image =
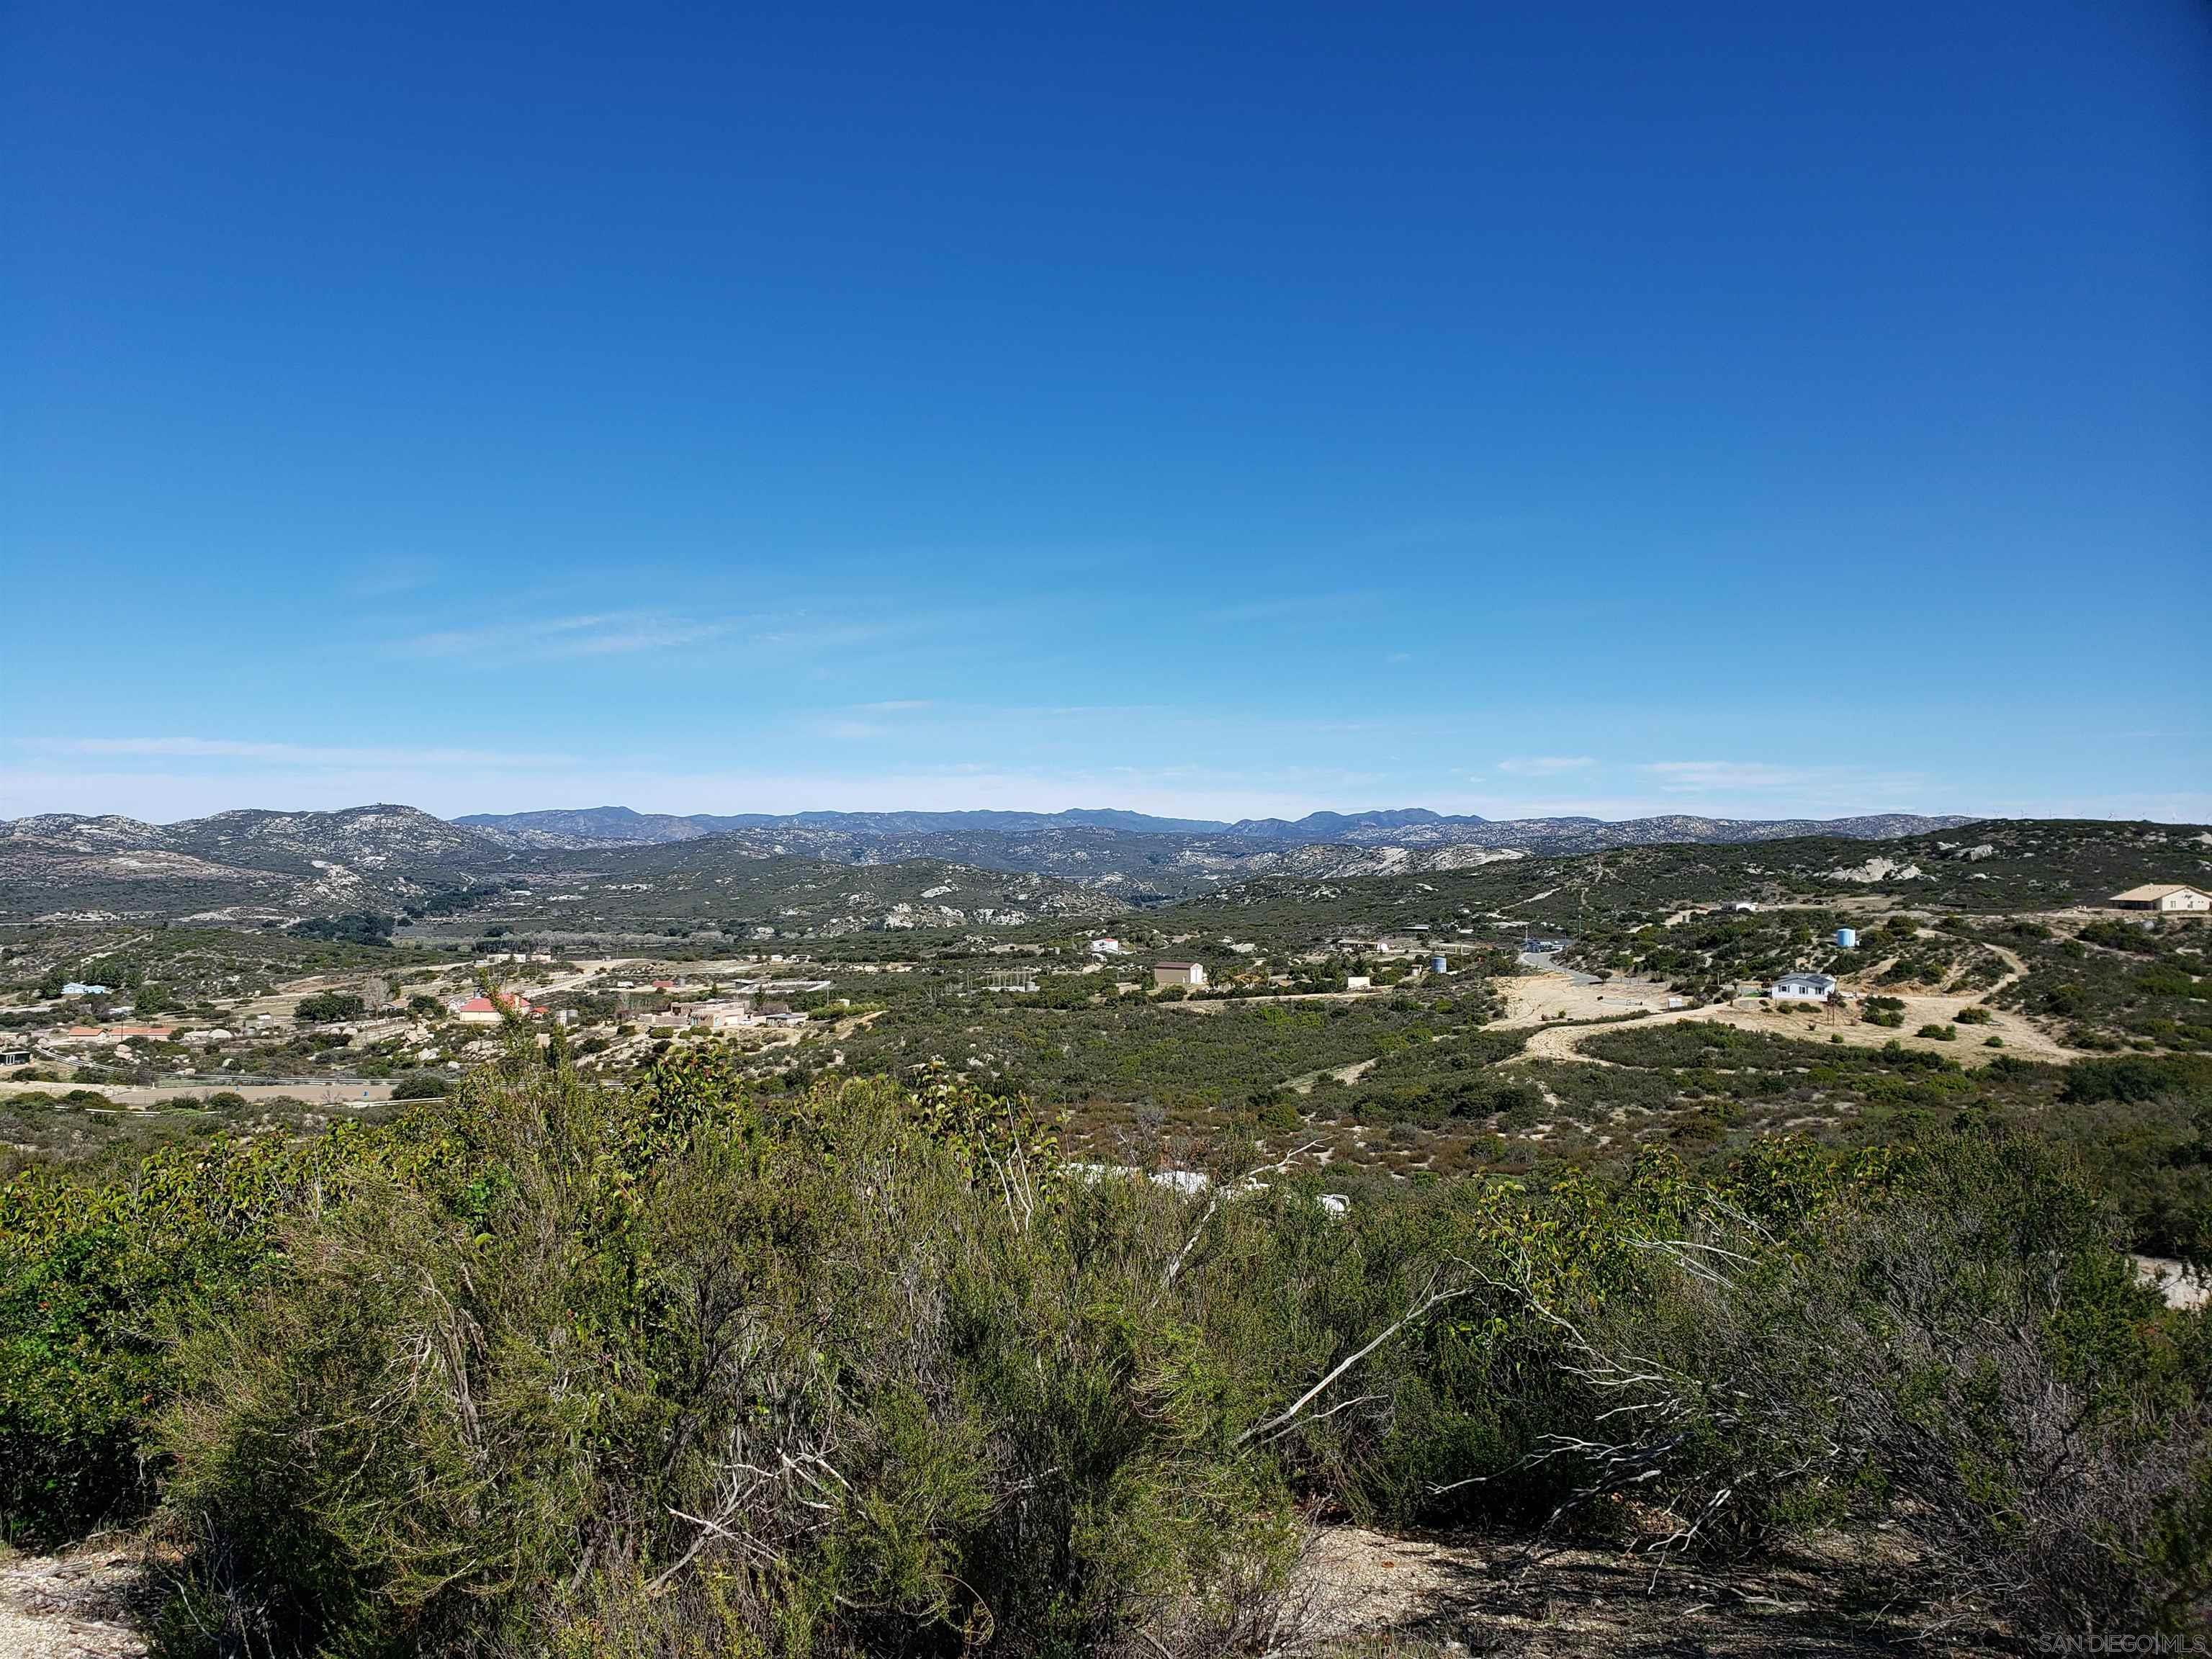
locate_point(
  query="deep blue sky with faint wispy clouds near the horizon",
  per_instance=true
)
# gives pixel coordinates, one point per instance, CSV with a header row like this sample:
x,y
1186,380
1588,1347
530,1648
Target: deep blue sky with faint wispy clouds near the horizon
x,y
1589,408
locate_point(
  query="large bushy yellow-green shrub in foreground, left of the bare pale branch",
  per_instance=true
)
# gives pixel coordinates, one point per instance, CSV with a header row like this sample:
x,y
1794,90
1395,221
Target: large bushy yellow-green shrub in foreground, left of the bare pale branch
x,y
689,1375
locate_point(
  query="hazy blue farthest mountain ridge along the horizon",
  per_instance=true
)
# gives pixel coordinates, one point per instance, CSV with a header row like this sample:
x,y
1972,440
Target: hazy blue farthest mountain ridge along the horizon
x,y
1410,826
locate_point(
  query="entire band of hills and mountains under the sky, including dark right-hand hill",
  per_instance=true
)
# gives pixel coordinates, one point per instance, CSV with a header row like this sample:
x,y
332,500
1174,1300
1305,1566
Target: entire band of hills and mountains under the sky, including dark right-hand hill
x,y
618,875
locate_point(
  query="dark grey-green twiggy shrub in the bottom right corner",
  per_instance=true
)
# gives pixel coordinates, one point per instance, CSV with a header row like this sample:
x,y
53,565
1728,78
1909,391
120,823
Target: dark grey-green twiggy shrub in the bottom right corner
x,y
1959,1348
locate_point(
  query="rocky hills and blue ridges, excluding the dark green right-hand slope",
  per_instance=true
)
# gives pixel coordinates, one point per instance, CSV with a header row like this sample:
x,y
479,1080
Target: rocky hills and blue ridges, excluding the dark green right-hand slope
x,y
280,866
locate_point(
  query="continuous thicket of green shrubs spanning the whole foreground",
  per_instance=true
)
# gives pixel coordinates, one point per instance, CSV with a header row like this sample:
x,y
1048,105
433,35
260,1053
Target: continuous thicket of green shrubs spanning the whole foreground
x,y
853,1368
